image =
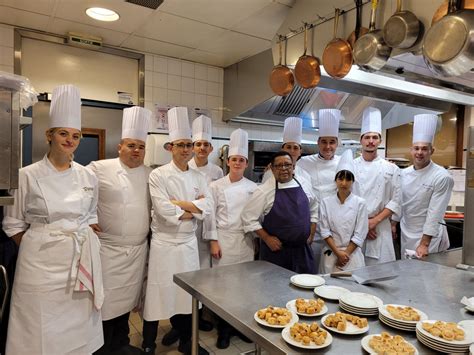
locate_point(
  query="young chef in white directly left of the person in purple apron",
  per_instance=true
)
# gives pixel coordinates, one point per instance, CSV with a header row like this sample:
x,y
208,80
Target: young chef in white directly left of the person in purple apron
x,y
230,194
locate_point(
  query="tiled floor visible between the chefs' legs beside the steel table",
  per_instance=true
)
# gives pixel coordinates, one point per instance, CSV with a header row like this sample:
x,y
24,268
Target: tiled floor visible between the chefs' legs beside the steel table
x,y
206,339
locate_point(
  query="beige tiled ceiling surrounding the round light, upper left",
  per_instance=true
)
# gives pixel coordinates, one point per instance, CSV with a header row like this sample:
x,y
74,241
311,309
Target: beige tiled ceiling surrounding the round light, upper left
x,y
214,32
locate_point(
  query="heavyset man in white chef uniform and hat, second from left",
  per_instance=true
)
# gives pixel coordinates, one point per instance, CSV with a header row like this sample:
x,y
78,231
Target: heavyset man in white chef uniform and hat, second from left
x,y
124,222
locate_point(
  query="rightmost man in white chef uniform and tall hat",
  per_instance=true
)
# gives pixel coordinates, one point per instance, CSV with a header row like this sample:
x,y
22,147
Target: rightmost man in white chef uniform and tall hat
x,y
426,190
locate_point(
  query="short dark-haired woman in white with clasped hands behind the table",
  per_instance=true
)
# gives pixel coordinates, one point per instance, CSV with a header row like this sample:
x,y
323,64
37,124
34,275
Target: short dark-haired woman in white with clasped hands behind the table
x,y
343,222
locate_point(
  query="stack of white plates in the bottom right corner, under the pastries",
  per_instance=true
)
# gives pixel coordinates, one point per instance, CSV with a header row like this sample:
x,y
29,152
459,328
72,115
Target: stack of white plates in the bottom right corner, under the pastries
x,y
442,345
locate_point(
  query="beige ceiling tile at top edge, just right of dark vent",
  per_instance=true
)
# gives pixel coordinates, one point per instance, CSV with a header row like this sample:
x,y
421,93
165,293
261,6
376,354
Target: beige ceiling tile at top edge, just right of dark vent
x,y
222,13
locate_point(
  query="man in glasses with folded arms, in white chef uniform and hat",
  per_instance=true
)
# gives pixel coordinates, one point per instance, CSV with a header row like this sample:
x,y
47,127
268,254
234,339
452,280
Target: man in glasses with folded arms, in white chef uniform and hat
x,y
179,196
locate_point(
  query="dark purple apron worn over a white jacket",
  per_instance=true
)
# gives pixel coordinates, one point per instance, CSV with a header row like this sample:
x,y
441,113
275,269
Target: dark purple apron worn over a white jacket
x,y
289,220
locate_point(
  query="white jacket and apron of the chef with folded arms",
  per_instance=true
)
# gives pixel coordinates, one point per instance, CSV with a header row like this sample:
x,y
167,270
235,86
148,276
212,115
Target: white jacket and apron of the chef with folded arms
x,y
173,247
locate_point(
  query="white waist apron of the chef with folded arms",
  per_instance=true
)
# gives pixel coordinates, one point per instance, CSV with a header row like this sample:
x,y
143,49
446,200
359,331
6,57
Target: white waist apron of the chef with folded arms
x,y
163,297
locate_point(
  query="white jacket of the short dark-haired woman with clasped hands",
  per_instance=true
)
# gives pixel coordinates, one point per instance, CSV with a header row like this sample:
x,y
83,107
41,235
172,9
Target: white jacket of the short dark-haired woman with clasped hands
x,y
344,223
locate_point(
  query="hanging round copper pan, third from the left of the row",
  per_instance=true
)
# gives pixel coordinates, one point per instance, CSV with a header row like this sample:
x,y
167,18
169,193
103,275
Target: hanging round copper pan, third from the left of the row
x,y
337,56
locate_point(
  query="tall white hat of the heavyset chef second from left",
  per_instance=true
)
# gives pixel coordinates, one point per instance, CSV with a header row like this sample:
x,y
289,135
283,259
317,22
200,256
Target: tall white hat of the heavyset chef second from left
x,y
135,123
